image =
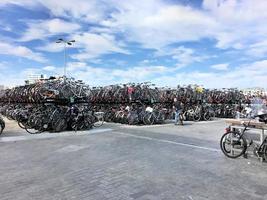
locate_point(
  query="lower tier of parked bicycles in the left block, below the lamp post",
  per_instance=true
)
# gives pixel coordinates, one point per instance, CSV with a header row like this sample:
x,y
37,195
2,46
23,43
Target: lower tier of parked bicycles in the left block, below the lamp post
x,y
52,117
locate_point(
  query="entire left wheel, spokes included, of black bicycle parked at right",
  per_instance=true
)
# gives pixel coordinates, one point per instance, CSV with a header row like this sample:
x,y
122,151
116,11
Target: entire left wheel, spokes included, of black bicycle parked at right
x,y
233,144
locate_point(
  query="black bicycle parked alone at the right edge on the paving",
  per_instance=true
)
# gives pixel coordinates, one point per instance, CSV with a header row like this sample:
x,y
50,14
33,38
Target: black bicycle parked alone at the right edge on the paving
x,y
234,143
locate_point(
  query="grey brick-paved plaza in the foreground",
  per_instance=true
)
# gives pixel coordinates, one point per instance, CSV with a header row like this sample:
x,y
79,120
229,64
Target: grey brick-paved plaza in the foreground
x,y
127,162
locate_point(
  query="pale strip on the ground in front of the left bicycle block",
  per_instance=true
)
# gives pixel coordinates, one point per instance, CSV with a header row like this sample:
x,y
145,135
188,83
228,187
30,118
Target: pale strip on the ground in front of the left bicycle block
x,y
52,135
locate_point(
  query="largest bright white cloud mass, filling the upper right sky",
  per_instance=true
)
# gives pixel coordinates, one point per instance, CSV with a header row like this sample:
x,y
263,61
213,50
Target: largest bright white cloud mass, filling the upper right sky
x,y
156,24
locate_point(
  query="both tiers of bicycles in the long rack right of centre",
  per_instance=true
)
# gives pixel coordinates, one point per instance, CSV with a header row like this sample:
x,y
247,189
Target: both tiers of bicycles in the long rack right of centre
x,y
127,103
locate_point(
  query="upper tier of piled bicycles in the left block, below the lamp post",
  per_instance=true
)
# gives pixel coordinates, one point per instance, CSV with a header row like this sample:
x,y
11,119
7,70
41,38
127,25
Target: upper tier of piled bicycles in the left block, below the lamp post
x,y
56,89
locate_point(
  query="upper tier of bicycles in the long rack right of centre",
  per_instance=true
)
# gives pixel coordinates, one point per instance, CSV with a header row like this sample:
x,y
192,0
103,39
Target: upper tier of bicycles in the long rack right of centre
x,y
149,94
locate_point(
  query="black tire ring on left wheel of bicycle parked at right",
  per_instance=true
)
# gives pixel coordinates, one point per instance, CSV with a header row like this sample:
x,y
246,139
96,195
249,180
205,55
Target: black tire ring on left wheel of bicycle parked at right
x,y
240,140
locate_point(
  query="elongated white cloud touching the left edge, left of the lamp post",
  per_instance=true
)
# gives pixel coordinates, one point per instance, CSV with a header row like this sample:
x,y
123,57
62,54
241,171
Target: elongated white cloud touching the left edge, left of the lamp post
x,y
20,51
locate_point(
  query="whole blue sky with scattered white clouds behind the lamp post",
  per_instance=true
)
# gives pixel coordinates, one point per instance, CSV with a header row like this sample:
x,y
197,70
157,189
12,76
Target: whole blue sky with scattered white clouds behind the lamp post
x,y
214,43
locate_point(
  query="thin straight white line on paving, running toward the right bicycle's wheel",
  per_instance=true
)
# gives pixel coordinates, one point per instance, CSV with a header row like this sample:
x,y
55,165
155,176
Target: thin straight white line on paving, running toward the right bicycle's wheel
x,y
169,142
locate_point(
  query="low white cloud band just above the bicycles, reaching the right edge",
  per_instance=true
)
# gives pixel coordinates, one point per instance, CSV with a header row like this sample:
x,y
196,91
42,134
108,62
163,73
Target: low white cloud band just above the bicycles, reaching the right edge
x,y
249,75
